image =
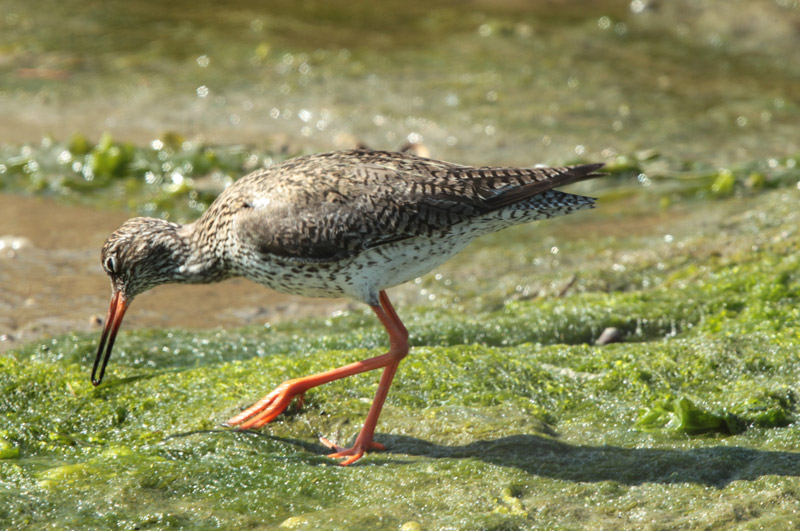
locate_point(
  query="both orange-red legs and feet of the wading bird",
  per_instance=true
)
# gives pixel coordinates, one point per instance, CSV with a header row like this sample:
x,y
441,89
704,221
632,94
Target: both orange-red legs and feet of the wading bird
x,y
272,405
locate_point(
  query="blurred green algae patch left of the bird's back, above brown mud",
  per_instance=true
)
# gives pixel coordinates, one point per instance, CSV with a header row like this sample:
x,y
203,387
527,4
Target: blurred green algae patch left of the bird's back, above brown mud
x,y
170,178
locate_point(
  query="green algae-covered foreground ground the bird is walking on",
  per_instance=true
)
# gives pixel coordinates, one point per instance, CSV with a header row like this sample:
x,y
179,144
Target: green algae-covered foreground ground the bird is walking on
x,y
505,415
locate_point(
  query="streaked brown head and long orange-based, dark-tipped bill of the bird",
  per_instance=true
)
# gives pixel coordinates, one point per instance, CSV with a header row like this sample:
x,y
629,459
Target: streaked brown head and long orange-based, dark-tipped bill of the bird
x,y
141,254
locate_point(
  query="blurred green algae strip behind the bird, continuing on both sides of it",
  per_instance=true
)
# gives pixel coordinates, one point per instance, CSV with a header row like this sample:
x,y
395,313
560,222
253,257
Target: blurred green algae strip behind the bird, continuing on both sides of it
x,y
178,179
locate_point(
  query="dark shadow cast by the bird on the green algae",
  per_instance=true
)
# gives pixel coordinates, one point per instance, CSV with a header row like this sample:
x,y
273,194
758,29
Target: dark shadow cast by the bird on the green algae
x,y
547,457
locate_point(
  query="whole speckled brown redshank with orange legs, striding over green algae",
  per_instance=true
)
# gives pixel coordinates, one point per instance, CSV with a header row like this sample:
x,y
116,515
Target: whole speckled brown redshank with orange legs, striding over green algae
x,y
340,224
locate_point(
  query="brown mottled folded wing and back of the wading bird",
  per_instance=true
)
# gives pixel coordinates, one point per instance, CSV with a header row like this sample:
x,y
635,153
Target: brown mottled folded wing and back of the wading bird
x,y
364,199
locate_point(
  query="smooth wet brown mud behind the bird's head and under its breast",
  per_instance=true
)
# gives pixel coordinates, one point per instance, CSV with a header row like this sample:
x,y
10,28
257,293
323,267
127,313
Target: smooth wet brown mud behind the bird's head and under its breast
x,y
53,282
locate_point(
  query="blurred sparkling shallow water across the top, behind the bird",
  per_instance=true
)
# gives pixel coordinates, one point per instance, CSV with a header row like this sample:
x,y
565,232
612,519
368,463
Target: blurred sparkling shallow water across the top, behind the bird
x,y
510,82
